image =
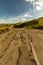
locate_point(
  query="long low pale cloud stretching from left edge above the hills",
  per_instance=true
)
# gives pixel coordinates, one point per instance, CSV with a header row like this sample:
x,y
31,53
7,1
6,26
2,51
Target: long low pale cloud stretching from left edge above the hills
x,y
20,18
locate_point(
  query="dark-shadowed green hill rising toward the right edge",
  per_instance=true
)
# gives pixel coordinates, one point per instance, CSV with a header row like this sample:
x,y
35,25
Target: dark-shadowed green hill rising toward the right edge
x,y
34,24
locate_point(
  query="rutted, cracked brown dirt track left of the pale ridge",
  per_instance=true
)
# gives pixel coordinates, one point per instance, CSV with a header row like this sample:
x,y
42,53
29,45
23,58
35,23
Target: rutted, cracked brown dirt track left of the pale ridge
x,y
15,48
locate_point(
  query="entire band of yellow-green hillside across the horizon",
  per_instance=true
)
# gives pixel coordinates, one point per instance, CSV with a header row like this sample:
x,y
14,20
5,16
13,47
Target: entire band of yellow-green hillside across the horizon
x,y
33,24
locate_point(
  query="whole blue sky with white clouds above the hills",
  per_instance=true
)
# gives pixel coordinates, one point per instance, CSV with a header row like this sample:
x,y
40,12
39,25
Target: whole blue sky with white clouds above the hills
x,y
12,11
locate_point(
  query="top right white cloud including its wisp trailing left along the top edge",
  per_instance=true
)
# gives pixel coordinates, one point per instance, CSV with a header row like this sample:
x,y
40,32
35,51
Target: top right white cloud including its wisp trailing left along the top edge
x,y
38,4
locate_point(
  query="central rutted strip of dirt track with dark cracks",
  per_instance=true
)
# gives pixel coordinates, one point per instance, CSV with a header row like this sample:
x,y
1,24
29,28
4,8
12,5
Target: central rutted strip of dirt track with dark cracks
x,y
25,55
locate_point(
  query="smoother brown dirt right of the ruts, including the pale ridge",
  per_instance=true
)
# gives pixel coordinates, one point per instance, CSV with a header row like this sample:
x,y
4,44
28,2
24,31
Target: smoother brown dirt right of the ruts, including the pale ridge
x,y
37,45
